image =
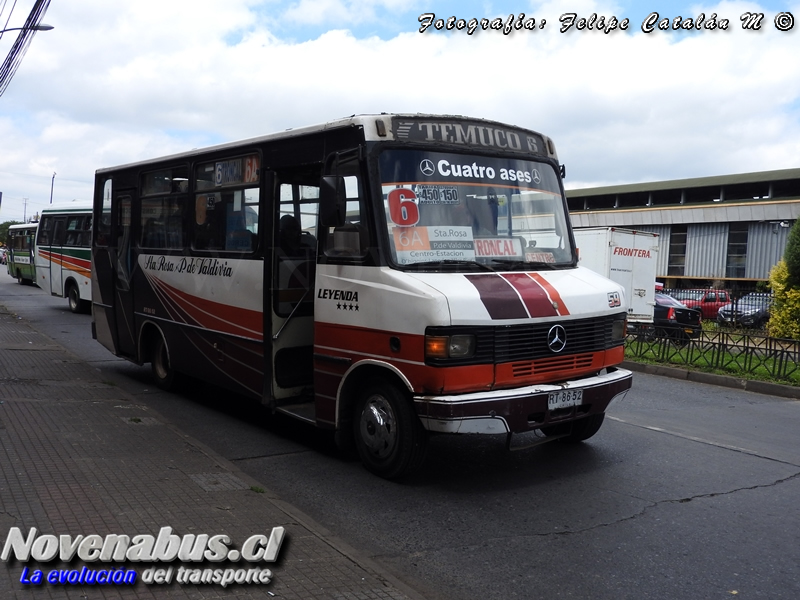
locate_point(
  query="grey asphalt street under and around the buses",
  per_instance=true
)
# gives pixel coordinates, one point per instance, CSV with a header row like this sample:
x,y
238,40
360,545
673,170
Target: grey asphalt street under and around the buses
x,y
688,490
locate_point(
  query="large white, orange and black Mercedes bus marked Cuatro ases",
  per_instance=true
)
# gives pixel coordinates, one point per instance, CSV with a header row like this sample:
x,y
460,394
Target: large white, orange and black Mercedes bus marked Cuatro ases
x,y
384,276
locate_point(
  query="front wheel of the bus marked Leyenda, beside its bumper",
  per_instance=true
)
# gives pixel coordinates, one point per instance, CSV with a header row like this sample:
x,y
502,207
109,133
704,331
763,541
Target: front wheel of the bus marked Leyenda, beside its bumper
x,y
389,437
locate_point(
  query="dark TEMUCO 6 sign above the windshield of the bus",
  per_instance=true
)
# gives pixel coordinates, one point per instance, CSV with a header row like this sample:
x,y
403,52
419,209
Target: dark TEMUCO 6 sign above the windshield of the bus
x,y
468,133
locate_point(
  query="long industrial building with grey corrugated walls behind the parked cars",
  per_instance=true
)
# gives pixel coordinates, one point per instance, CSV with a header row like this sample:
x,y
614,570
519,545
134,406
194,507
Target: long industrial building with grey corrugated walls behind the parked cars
x,y
725,231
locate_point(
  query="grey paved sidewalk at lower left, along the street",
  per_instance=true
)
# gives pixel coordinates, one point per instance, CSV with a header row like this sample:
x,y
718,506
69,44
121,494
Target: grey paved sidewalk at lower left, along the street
x,y
79,457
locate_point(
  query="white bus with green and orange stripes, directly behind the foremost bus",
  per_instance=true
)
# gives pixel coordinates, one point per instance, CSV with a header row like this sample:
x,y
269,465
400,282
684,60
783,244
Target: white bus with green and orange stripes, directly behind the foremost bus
x,y
63,253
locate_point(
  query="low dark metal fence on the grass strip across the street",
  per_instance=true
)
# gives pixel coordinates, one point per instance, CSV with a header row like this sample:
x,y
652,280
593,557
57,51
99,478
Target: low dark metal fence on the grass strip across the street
x,y
733,353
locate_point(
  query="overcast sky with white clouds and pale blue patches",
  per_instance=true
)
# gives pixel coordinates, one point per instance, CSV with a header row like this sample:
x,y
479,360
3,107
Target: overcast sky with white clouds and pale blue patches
x,y
116,82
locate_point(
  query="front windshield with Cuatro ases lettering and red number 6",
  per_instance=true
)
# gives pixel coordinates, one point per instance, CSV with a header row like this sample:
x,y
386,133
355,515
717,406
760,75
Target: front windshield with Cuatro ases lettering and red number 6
x,y
443,208
